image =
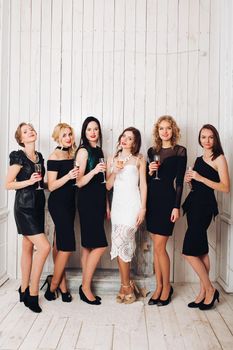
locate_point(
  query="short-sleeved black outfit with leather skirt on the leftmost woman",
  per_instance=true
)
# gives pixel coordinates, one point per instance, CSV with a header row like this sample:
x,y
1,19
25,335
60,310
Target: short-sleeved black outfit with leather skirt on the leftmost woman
x,y
29,203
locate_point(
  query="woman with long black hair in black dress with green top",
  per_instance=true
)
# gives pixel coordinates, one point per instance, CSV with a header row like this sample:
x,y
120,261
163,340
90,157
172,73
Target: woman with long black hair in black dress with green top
x,y
91,204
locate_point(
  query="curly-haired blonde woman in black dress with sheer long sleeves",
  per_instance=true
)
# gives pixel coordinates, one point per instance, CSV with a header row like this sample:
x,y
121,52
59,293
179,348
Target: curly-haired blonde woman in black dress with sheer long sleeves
x,y
167,163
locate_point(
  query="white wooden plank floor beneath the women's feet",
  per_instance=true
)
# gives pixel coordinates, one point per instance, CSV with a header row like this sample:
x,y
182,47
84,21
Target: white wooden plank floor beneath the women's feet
x,y
115,326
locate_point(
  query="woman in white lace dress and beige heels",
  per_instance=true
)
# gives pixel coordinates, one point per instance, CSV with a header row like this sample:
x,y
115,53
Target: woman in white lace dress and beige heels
x,y
126,172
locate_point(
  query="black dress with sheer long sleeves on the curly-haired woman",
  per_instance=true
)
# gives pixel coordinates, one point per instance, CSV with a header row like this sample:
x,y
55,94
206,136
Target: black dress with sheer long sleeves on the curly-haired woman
x,y
162,196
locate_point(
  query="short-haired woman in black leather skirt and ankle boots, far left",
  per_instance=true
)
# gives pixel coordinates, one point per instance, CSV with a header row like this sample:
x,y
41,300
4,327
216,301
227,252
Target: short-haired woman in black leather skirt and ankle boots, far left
x,y
29,212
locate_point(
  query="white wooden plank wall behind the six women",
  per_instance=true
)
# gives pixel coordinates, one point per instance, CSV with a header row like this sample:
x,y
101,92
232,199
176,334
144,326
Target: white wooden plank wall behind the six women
x,y
126,62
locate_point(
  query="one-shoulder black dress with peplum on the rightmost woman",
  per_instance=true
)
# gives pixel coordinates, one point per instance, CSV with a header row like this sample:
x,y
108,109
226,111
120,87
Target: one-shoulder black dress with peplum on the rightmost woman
x,y
200,207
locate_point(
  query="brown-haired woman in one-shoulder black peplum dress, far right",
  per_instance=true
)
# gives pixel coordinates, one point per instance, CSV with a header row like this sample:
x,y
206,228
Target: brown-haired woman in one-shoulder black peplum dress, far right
x,y
210,173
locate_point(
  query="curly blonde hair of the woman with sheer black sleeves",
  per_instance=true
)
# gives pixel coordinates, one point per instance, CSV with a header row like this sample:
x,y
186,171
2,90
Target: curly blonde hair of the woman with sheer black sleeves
x,y
157,142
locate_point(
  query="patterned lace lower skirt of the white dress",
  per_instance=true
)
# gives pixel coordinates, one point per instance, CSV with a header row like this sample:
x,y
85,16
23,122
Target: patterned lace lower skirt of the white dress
x,y
123,242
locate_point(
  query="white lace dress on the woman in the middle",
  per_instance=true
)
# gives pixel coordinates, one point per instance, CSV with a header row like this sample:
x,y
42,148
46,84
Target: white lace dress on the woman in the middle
x,y
126,204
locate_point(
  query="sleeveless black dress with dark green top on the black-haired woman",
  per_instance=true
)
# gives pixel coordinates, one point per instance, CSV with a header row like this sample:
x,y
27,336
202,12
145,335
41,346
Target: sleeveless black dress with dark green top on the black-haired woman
x,y
92,204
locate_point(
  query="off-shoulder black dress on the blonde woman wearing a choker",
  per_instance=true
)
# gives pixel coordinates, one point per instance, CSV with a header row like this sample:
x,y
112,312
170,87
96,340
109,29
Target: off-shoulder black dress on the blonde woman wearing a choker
x,y
61,204
